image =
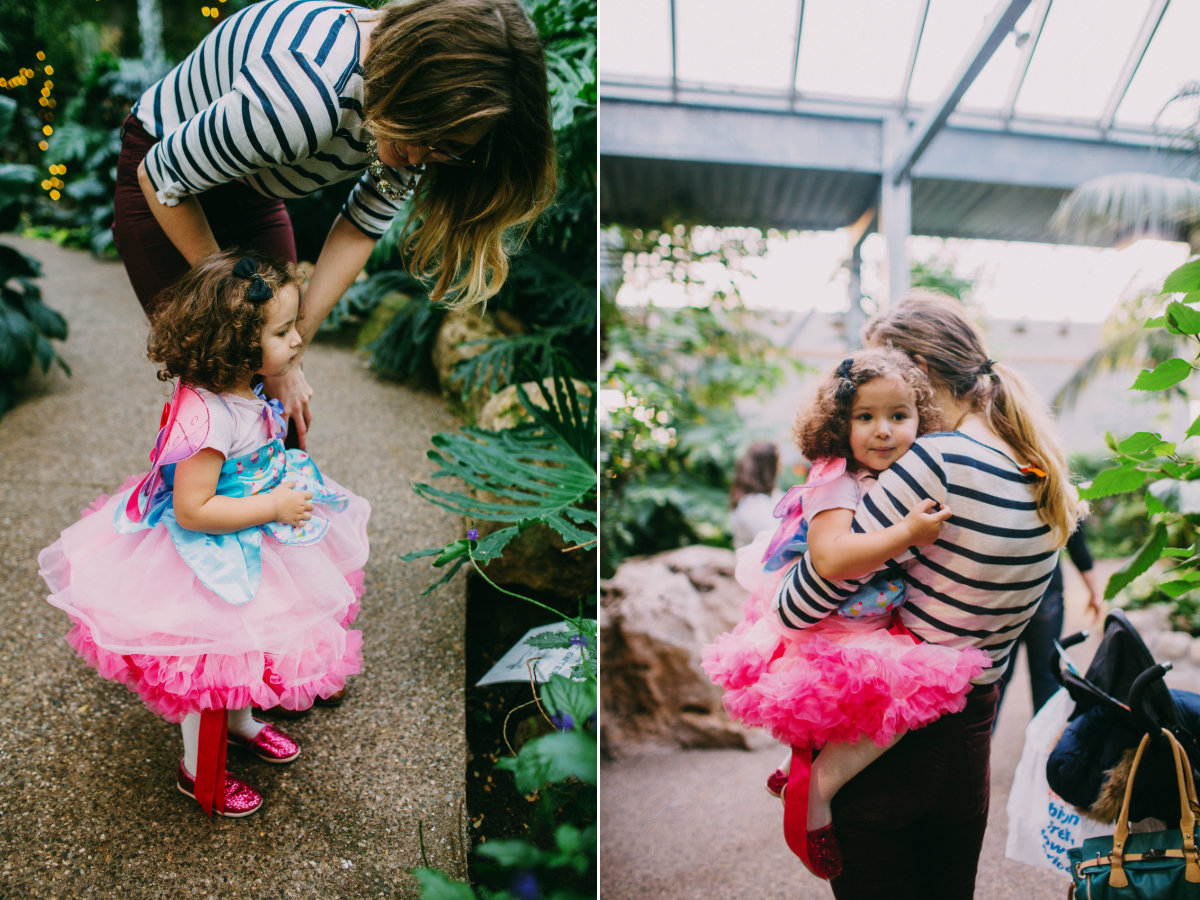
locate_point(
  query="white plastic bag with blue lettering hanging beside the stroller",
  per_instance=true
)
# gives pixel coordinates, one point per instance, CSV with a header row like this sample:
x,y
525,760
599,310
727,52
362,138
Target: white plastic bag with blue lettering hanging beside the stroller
x,y
1042,826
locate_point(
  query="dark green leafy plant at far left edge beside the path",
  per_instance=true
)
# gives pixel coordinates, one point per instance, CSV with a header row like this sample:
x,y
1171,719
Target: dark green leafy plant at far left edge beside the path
x,y
27,325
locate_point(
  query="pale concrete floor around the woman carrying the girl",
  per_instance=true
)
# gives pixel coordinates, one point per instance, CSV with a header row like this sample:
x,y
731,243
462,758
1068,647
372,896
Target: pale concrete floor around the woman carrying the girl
x,y
698,825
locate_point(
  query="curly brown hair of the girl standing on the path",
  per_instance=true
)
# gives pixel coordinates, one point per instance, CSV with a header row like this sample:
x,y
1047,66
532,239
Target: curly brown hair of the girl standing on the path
x,y
206,331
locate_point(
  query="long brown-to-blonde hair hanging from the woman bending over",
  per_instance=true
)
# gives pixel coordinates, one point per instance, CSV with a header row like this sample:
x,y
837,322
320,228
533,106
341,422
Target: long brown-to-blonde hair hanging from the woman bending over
x,y
440,68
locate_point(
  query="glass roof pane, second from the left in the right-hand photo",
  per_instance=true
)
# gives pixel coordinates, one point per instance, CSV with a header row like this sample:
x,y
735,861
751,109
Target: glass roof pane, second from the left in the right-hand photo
x,y
751,47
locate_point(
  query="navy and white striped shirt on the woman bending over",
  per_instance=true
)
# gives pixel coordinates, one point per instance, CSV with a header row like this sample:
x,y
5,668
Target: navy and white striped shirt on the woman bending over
x,y
272,98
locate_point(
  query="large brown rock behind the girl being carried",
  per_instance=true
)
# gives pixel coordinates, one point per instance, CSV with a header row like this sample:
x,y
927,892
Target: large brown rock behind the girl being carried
x,y
656,615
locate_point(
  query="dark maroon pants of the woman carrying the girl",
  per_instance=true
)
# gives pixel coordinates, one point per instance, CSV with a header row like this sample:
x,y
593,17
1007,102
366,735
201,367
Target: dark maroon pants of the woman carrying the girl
x,y
911,825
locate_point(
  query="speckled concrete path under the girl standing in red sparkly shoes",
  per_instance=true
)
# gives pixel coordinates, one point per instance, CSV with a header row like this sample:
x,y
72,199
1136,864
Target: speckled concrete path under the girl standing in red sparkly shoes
x,y
88,801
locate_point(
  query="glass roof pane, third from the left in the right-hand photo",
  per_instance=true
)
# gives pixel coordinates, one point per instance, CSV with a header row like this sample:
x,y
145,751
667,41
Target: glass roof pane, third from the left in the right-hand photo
x,y
856,49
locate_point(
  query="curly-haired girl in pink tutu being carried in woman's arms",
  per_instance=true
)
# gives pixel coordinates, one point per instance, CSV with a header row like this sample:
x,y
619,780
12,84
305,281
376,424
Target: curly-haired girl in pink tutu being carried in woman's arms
x,y
856,682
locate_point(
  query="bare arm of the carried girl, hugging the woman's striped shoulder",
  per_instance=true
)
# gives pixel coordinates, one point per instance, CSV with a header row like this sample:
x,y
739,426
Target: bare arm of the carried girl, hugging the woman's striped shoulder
x,y
839,554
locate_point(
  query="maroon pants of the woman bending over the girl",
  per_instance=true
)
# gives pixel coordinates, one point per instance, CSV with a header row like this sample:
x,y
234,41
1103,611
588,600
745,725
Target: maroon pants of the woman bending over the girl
x,y
238,215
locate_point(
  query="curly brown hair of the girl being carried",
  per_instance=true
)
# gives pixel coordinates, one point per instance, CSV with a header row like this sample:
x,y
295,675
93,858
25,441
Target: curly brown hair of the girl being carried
x,y
823,429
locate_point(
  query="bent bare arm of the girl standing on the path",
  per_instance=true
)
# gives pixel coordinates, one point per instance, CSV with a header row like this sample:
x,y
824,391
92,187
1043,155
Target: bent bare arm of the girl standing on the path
x,y
200,509
